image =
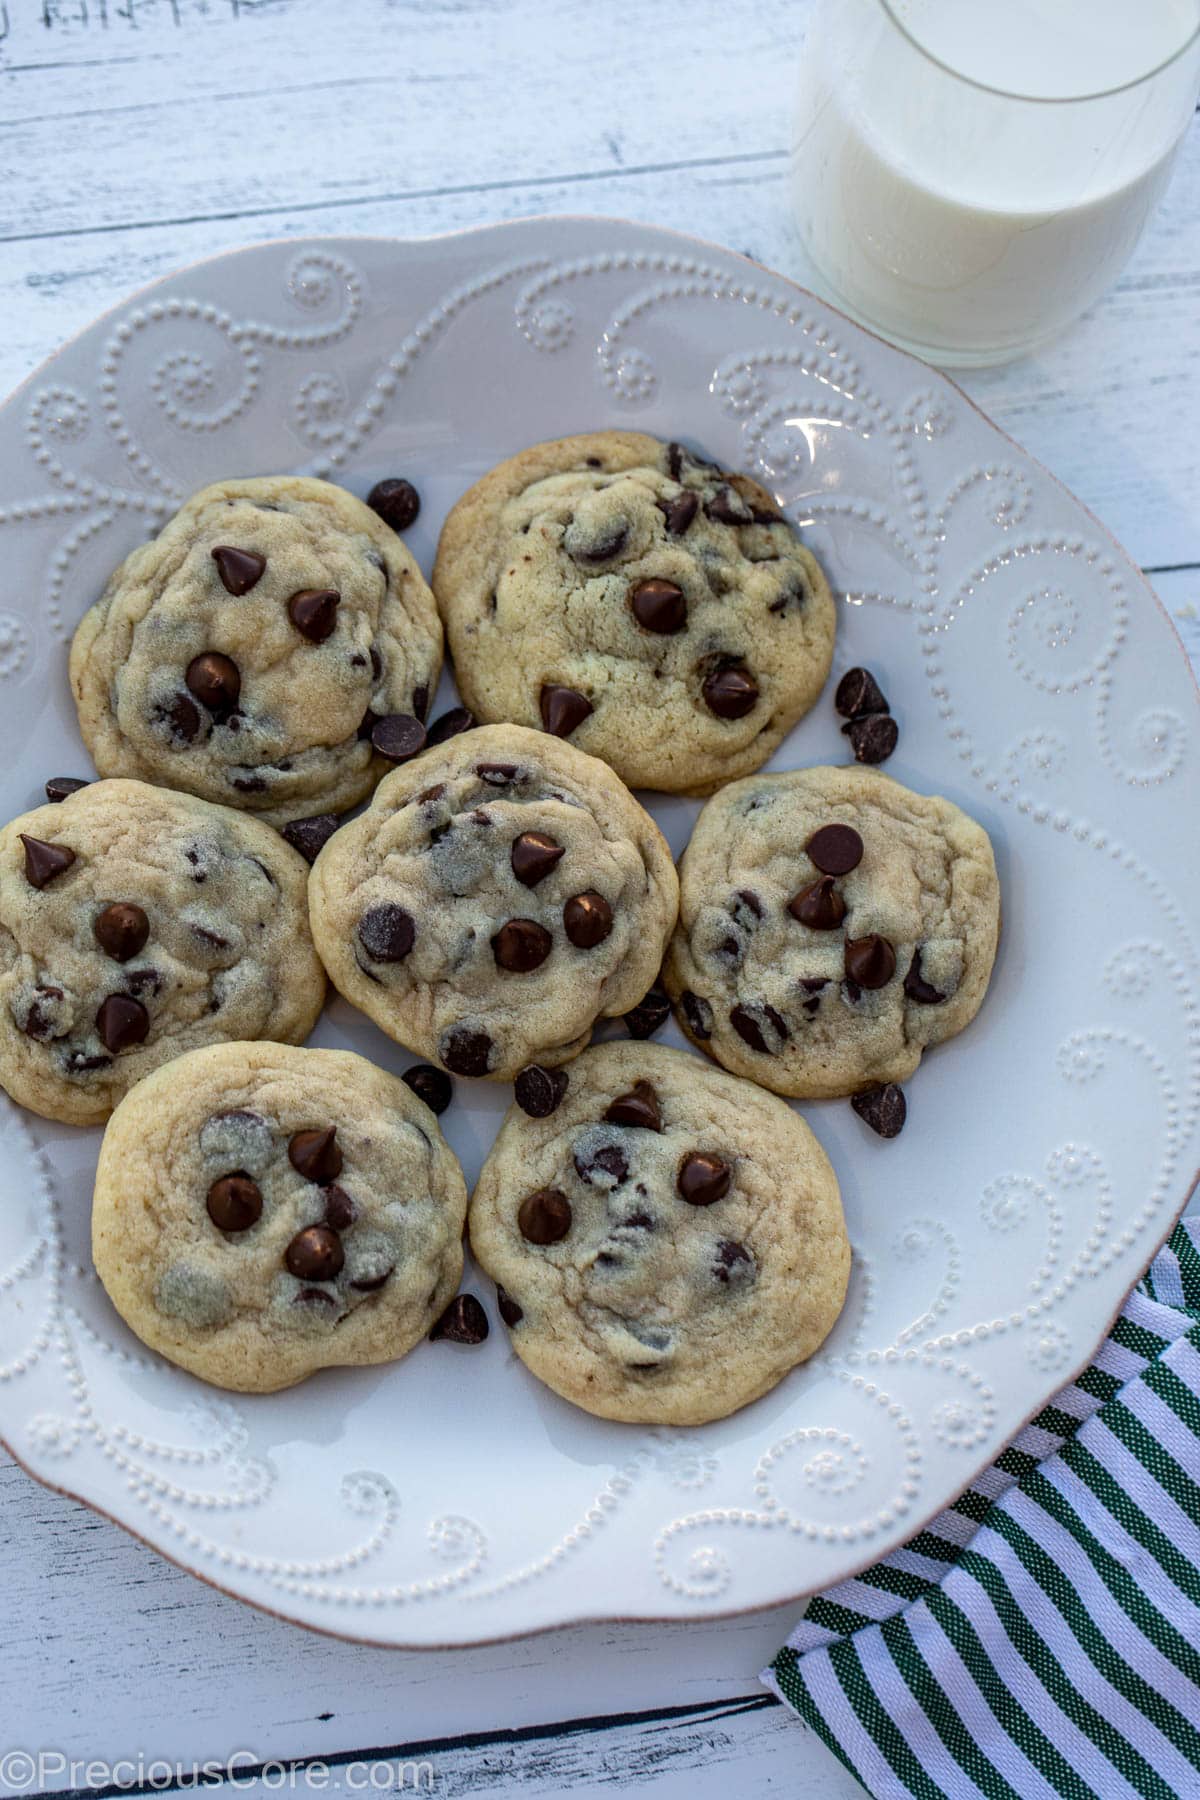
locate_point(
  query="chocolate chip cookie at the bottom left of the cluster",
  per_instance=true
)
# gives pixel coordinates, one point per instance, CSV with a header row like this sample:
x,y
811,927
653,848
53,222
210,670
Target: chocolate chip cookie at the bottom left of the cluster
x,y
265,1212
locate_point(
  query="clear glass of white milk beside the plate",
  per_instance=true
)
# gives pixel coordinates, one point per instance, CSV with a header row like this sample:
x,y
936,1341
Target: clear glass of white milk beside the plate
x,y
971,175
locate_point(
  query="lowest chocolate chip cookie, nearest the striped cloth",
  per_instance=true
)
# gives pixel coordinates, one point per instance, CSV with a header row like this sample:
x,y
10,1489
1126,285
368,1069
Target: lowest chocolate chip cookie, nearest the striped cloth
x,y
668,1243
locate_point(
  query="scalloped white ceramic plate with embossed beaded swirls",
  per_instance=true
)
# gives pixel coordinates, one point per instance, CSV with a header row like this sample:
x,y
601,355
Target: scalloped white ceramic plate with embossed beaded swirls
x,y
1037,683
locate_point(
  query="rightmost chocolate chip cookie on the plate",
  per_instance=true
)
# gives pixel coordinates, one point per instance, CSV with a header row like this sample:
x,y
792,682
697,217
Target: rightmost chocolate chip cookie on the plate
x,y
832,928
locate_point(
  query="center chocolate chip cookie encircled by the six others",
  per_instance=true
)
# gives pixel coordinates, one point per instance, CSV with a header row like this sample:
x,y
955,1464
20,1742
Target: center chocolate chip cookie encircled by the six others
x,y
497,897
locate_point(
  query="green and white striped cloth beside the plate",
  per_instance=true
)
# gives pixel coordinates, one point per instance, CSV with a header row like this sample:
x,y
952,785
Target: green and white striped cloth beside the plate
x,y
1043,1637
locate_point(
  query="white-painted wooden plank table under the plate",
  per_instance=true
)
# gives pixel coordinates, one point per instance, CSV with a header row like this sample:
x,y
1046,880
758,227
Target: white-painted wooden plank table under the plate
x,y
138,136
